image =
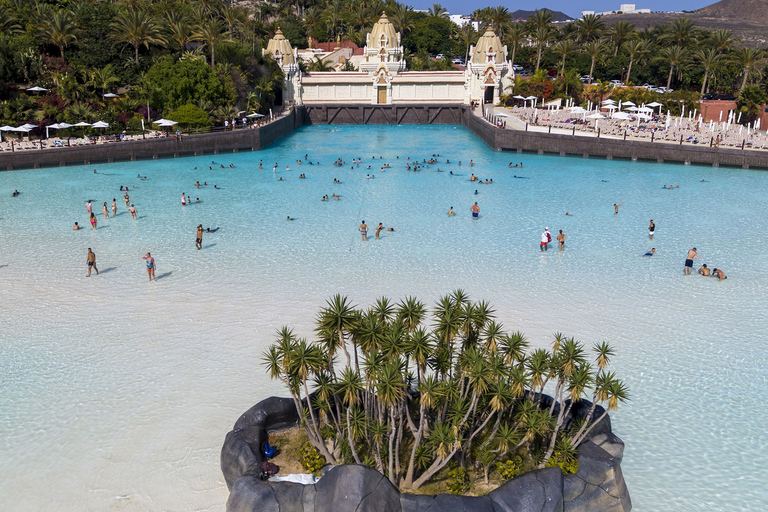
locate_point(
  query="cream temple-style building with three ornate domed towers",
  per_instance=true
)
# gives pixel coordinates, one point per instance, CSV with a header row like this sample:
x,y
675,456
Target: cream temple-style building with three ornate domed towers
x,y
383,79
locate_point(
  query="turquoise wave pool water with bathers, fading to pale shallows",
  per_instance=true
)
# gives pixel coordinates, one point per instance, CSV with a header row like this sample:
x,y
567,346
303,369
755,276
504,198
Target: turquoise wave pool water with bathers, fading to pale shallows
x,y
117,393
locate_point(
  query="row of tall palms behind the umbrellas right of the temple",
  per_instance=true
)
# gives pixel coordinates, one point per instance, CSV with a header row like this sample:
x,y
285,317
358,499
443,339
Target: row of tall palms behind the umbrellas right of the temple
x,y
679,50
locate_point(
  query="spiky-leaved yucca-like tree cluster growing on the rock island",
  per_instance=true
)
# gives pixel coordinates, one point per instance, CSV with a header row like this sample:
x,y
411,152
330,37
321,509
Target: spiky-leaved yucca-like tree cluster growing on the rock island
x,y
407,392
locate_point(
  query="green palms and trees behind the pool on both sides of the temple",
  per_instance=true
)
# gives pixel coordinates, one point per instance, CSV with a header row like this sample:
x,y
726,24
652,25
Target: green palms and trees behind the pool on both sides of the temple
x,y
200,61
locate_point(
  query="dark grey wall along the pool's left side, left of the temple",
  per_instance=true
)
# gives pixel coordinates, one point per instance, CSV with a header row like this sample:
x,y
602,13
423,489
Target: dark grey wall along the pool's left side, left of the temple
x,y
167,147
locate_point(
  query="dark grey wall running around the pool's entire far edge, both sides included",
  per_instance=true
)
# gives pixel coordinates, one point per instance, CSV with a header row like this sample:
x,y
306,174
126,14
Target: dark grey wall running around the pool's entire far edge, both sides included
x,y
513,138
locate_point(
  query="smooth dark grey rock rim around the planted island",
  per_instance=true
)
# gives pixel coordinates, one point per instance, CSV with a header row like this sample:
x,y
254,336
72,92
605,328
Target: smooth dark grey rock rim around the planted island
x,y
597,486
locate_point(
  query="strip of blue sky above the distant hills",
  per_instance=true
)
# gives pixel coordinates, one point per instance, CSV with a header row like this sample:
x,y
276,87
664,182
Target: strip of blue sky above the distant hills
x,y
571,7
